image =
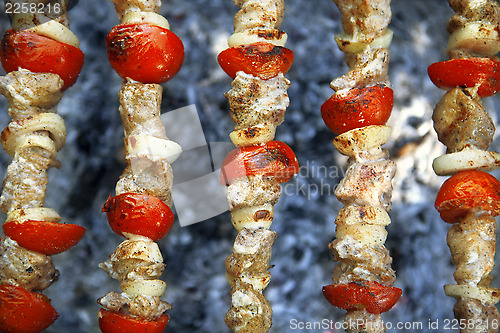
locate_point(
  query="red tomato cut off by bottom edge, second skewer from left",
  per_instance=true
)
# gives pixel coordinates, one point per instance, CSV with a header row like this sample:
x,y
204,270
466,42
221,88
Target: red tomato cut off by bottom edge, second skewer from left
x,y
115,322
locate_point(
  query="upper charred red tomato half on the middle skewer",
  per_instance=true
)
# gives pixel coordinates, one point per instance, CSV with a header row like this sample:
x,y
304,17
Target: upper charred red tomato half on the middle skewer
x,y
261,59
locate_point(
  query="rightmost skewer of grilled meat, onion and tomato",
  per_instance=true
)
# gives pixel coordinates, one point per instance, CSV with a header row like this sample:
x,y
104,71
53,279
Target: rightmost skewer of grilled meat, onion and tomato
x,y
469,199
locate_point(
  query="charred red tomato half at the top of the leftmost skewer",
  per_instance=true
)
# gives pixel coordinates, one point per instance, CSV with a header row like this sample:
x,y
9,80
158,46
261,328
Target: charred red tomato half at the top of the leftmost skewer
x,y
40,54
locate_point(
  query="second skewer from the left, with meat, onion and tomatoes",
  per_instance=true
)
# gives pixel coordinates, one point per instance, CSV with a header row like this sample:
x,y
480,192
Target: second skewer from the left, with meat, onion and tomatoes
x,y
145,53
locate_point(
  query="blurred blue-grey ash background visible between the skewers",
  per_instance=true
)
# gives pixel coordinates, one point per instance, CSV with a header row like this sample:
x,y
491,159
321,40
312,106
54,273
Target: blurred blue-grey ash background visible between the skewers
x,y
92,161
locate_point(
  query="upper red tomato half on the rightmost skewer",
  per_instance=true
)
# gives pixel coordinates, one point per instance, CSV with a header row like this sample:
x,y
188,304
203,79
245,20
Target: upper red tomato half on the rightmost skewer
x,y
467,72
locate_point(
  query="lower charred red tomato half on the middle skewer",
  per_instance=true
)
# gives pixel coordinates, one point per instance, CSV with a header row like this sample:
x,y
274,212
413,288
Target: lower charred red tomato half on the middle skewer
x,y
274,159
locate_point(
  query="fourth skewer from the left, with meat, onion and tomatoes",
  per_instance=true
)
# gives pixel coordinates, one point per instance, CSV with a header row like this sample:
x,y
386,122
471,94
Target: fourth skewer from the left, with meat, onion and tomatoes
x,y
357,113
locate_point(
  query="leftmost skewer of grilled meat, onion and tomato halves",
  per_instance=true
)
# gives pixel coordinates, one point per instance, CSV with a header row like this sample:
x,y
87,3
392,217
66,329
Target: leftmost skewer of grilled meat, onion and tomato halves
x,y
42,59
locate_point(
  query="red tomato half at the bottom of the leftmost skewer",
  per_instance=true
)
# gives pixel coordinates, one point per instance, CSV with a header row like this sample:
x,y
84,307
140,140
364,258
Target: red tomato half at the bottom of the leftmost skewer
x,y
22,311
